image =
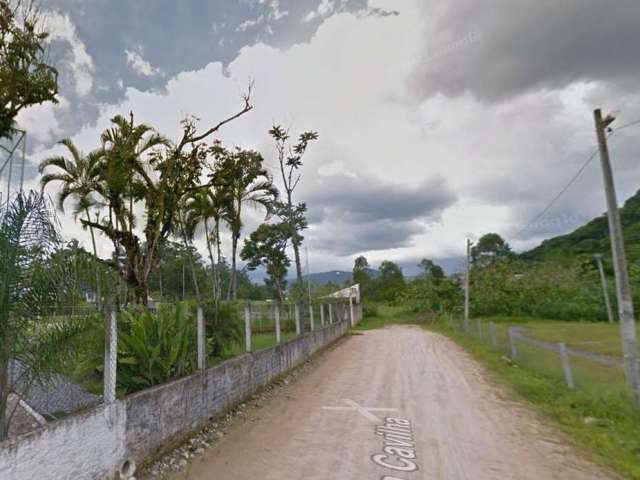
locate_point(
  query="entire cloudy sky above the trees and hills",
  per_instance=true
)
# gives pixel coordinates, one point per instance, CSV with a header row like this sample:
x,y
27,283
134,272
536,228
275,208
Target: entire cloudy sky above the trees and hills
x,y
438,119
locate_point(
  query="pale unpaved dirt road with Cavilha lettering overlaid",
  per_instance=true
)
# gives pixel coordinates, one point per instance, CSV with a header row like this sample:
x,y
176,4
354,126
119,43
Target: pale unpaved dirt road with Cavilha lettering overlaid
x,y
391,404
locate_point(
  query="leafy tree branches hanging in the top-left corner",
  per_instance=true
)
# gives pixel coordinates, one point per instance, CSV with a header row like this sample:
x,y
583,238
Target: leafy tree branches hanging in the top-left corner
x,y
25,77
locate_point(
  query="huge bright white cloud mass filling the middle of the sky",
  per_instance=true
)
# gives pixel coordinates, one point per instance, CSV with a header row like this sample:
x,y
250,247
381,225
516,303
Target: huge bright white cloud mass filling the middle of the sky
x,y
349,82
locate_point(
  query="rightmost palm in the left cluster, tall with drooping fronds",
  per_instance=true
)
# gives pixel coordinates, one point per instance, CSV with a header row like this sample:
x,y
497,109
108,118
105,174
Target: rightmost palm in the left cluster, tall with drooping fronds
x,y
241,173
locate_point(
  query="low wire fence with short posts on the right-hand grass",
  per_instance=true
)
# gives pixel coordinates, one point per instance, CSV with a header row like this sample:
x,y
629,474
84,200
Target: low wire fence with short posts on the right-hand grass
x,y
577,369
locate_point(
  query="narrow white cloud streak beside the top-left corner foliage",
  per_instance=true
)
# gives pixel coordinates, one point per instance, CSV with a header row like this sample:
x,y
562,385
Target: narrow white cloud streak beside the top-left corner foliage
x,y
61,28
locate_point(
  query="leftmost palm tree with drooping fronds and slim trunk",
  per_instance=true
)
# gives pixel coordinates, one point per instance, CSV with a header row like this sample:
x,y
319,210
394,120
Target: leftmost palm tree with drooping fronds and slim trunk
x,y
80,177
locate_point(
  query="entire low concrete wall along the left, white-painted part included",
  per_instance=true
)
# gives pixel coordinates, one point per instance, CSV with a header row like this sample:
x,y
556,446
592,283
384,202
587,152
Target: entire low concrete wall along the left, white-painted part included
x,y
95,444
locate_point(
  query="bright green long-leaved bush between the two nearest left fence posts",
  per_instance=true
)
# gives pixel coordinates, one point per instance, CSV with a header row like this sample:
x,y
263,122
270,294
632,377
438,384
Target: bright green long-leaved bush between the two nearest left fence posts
x,y
156,348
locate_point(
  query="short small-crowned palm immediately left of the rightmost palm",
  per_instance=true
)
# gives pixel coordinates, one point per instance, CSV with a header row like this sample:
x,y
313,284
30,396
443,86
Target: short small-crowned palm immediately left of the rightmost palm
x,y
203,205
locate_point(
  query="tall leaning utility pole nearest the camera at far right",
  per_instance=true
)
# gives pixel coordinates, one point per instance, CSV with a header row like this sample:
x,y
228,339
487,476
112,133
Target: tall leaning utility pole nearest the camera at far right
x,y
623,289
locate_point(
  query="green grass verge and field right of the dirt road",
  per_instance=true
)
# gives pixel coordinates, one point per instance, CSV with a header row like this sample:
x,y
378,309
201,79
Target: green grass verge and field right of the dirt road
x,y
598,415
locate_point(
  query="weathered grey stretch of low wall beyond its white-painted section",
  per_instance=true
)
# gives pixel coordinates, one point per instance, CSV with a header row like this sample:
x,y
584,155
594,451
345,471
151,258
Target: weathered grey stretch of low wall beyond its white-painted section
x,y
158,417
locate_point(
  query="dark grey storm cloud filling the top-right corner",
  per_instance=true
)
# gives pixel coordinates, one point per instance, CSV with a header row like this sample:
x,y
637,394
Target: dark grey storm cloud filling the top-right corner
x,y
502,48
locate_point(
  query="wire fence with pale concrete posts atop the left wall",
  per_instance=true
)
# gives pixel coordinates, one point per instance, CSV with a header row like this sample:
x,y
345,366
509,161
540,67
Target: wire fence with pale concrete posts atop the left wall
x,y
96,356
